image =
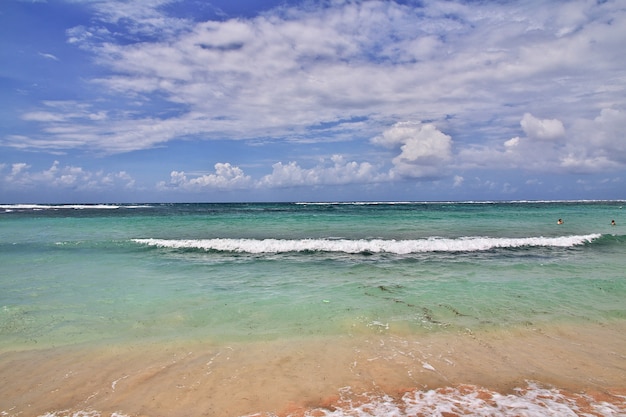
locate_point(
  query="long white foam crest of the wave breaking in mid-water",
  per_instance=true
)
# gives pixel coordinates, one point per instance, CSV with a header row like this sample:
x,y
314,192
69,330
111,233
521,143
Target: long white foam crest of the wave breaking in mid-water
x,y
433,244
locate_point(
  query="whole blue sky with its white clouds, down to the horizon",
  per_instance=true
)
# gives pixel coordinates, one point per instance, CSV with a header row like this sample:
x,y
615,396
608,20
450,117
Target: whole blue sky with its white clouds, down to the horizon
x,y
276,100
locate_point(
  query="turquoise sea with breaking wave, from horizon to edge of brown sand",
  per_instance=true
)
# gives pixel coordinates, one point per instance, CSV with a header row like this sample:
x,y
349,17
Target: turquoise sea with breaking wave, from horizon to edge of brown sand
x,y
222,272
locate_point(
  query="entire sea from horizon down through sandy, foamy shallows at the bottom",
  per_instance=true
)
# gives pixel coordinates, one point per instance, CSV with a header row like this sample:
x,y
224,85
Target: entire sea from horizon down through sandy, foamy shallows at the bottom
x,y
313,309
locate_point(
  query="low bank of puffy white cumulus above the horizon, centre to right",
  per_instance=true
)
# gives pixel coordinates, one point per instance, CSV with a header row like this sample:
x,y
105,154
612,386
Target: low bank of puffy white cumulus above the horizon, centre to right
x,y
422,150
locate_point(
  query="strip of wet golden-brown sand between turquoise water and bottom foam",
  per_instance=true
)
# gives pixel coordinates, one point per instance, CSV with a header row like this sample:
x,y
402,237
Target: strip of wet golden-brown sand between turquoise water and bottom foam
x,y
287,376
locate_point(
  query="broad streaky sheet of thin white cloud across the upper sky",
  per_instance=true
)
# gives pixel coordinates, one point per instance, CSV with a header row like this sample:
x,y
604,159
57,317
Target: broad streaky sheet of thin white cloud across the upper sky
x,y
292,68
